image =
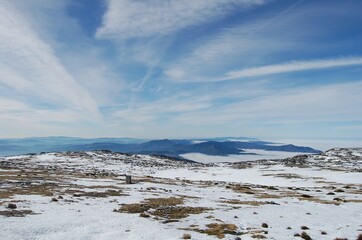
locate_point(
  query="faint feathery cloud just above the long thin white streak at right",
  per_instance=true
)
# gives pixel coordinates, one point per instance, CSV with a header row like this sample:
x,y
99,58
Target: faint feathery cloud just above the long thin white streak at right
x,y
229,48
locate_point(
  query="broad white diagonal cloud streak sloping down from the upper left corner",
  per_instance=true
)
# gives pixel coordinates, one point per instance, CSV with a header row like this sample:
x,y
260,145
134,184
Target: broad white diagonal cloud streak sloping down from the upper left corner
x,y
29,67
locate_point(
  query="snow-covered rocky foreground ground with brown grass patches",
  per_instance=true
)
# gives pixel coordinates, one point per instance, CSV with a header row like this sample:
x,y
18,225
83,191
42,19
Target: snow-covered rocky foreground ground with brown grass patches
x,y
84,195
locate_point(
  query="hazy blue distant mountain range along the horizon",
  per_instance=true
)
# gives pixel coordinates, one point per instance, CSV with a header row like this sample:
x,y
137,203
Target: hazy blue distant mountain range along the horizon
x,y
171,148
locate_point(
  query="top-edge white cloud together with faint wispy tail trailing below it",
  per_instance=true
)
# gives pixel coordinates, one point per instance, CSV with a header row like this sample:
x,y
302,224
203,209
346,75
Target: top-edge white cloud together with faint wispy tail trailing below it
x,y
144,31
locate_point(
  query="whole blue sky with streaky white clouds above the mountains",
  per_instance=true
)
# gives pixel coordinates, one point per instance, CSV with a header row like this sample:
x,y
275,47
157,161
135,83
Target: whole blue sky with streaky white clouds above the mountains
x,y
270,69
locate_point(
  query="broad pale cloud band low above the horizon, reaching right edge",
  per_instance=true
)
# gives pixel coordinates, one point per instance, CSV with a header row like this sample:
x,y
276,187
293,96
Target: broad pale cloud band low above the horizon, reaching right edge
x,y
319,111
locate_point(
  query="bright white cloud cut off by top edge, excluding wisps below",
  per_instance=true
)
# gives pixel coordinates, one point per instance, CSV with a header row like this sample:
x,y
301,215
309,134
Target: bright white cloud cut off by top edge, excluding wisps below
x,y
129,19
